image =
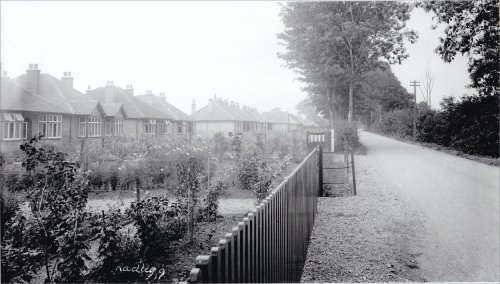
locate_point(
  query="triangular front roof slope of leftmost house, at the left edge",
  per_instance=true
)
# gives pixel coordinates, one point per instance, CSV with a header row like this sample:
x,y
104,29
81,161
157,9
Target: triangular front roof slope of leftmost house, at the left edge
x,y
13,97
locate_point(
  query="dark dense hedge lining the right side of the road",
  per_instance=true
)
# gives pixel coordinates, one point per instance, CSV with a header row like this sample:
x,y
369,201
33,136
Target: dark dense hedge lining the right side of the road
x,y
469,125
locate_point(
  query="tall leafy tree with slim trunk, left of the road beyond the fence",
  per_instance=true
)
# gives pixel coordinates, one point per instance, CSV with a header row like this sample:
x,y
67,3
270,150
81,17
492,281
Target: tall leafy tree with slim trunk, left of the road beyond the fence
x,y
328,42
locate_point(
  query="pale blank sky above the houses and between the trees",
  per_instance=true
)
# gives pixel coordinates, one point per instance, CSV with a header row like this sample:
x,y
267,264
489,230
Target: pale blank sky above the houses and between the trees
x,y
187,50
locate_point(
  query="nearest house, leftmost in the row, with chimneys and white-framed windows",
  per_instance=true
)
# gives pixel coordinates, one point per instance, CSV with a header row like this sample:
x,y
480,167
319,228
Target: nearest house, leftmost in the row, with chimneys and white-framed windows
x,y
45,104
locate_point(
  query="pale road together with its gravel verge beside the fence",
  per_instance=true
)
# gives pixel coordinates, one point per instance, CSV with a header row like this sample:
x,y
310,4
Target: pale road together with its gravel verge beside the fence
x,y
419,214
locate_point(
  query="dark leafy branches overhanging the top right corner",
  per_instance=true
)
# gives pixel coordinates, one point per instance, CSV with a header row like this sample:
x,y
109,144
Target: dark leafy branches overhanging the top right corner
x,y
472,30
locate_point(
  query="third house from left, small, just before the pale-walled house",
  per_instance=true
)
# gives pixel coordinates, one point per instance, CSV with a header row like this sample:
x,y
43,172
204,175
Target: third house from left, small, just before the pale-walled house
x,y
180,124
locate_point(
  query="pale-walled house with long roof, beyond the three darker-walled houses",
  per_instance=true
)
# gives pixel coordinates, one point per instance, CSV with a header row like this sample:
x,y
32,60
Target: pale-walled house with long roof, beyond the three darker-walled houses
x,y
227,118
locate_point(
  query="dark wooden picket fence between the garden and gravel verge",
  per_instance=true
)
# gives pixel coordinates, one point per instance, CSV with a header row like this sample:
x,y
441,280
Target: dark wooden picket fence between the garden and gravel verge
x,y
270,244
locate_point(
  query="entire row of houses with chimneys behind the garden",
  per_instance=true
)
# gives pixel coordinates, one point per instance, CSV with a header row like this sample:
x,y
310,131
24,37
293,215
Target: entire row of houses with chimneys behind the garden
x,y
36,102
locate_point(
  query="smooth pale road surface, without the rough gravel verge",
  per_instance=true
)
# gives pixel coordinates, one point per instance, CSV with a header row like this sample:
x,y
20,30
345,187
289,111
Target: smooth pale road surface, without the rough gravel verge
x,y
458,201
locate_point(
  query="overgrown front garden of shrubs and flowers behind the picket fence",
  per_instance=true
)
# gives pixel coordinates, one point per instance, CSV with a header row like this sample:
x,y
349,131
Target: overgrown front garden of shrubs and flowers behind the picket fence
x,y
131,211
